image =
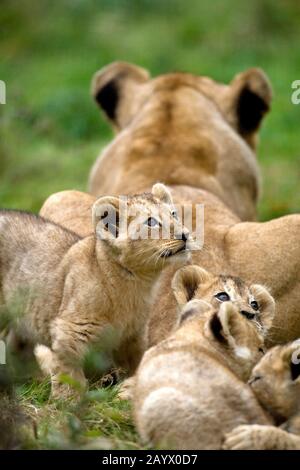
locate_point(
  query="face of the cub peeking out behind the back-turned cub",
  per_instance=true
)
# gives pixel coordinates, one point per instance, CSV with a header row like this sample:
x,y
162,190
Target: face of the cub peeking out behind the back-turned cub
x,y
253,302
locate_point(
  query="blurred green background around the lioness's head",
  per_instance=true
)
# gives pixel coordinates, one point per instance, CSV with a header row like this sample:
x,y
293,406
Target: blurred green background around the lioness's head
x,y
50,129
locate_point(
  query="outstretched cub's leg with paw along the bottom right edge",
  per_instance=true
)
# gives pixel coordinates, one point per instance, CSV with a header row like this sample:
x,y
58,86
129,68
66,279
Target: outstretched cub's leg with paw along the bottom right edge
x,y
257,437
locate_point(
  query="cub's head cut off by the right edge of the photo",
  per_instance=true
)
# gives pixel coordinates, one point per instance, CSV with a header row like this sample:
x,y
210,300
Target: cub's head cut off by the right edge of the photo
x,y
275,381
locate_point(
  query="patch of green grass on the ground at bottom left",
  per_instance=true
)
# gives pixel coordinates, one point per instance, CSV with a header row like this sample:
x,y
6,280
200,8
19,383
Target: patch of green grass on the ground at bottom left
x,y
99,421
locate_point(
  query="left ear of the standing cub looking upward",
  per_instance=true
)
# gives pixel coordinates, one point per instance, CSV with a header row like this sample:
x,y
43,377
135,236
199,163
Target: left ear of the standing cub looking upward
x,y
106,215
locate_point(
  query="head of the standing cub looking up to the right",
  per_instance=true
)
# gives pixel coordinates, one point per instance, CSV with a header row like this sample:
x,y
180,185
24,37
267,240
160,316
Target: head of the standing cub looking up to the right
x,y
143,232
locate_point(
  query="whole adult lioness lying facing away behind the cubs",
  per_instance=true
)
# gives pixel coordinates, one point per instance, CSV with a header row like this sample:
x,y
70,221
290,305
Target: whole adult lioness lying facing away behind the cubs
x,y
186,130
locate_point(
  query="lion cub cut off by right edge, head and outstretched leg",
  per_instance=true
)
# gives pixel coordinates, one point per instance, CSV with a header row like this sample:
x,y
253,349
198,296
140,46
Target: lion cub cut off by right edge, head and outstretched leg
x,y
276,383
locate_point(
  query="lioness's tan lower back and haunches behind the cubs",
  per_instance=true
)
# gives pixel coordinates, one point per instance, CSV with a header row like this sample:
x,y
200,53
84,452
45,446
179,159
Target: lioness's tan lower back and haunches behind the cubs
x,y
265,253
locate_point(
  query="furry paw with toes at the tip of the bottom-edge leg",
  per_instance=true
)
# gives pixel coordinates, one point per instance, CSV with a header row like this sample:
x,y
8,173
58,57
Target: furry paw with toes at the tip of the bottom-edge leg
x,y
247,437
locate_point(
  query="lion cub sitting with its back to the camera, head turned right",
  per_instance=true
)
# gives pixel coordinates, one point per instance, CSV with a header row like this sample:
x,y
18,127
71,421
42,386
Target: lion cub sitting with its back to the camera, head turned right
x,y
189,388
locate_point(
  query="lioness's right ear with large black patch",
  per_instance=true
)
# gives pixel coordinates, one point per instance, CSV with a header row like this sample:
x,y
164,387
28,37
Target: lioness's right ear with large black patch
x,y
250,99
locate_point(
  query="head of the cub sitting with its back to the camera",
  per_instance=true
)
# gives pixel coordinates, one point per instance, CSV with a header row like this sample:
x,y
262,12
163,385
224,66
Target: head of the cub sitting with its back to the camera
x,y
226,331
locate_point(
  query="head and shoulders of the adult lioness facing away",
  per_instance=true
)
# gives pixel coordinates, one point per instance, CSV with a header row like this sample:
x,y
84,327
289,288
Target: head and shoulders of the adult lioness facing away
x,y
181,129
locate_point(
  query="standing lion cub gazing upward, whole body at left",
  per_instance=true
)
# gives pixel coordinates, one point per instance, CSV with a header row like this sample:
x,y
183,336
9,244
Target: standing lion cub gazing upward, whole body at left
x,y
71,291
